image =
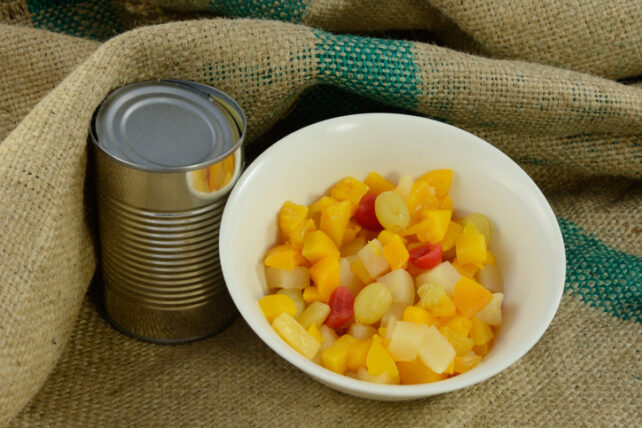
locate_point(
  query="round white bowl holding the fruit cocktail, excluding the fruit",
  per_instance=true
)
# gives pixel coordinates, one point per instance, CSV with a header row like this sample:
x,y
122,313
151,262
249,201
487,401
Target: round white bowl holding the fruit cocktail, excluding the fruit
x,y
305,164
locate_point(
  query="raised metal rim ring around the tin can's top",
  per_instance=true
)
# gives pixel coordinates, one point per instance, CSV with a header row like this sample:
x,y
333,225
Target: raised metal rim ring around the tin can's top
x,y
231,106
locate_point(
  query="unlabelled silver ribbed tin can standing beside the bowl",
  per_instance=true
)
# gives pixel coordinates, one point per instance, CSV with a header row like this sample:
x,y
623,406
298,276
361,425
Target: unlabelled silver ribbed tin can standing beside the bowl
x,y
167,154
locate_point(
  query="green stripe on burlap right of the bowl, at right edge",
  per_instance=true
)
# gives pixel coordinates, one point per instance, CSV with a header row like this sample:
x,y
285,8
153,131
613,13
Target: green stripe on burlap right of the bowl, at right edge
x,y
600,275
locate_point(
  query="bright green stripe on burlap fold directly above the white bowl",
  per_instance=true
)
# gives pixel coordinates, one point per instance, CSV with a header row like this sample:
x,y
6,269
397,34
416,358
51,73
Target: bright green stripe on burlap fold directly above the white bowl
x,y
382,70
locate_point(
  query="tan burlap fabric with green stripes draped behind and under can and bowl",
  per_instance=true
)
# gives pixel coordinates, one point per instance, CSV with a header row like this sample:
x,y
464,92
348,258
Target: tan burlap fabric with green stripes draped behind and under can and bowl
x,y
555,85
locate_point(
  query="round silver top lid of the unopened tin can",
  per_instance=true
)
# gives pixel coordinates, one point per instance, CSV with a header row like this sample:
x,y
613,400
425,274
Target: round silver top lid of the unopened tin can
x,y
168,126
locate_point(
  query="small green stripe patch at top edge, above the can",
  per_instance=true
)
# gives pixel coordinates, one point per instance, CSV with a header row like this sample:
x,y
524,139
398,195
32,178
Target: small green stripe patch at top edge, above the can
x,y
283,10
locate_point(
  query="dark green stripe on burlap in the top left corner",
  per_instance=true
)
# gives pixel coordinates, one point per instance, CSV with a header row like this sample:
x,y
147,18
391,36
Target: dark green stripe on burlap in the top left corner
x,y
89,19
